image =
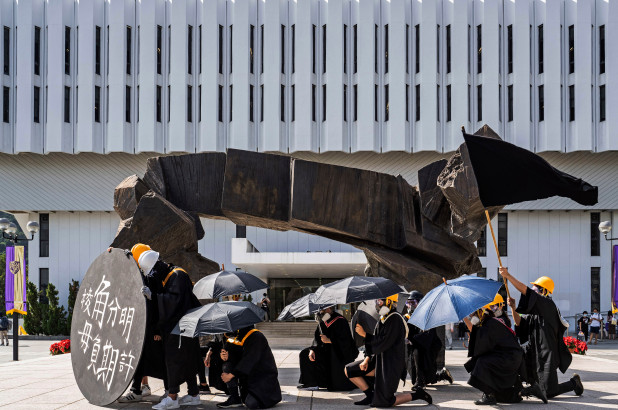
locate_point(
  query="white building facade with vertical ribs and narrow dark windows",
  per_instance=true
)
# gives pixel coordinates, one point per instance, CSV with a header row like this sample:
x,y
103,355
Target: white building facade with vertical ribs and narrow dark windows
x,y
92,88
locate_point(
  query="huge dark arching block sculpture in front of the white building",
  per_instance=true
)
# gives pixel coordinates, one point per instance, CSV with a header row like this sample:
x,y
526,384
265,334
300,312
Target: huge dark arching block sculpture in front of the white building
x,y
412,235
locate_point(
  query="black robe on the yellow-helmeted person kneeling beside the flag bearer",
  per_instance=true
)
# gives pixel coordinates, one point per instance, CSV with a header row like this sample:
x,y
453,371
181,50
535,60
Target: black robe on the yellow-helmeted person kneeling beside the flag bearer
x,y
495,360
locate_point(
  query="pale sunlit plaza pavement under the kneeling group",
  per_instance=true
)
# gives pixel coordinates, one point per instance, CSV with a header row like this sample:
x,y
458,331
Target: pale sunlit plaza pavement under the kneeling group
x,y
40,381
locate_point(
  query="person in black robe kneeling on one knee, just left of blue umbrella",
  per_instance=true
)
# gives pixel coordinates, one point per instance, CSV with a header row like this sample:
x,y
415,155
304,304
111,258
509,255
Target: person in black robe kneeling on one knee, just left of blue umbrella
x,y
384,361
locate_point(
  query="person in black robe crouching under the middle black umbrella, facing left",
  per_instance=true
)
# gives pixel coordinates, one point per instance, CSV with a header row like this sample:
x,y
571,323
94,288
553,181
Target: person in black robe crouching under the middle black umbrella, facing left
x,y
323,364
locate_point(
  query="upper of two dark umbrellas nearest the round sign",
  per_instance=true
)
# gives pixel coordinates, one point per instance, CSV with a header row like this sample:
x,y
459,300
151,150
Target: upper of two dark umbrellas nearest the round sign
x,y
227,283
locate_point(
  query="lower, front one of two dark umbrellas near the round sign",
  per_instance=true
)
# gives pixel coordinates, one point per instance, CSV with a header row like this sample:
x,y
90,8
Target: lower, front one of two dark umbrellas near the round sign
x,y
220,317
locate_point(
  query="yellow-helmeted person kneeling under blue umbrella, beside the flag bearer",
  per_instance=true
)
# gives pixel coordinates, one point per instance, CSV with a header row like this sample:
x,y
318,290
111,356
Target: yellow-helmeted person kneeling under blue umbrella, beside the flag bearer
x,y
496,358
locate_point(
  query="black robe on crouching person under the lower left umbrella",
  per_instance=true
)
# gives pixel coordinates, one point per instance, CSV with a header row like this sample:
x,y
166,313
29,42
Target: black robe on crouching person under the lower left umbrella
x,y
257,372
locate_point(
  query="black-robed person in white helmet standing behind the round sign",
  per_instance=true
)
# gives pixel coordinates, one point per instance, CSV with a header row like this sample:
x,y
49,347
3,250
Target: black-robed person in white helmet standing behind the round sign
x,y
174,298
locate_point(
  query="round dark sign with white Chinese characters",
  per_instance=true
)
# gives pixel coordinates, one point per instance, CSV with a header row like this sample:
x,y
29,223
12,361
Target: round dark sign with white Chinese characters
x,y
108,327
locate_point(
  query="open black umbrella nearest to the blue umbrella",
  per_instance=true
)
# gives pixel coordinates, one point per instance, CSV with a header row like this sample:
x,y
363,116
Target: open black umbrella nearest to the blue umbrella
x,y
356,289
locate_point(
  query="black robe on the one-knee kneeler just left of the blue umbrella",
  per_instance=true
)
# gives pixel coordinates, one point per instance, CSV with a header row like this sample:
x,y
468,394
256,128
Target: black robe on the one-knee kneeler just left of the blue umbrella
x,y
387,343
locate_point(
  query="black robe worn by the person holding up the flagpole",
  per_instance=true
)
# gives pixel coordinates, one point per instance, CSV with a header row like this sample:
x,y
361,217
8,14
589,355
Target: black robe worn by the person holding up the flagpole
x,y
546,351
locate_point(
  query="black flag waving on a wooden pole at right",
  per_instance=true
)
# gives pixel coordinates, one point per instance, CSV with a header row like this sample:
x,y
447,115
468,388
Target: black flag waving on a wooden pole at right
x,y
507,174
